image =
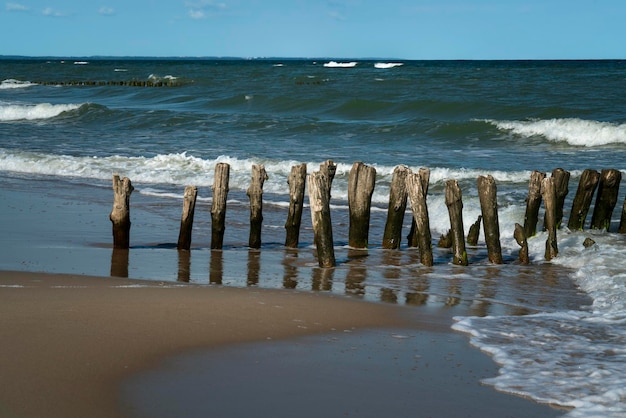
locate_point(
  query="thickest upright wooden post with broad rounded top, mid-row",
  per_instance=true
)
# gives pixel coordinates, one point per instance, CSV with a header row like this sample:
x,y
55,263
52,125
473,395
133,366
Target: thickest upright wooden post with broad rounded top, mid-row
x,y
361,183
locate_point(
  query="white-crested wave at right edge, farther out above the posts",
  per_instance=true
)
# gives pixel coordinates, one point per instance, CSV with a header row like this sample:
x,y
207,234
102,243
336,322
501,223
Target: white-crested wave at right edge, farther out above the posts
x,y
574,131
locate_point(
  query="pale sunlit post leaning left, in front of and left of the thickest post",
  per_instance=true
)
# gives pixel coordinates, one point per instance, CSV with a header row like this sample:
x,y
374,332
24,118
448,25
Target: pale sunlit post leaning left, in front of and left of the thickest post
x,y
319,194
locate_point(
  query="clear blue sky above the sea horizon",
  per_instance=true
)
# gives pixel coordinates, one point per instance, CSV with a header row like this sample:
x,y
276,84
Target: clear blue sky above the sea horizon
x,y
407,29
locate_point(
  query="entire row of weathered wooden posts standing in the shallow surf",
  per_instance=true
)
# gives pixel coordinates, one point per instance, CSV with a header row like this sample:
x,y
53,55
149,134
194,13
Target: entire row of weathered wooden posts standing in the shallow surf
x,y
405,186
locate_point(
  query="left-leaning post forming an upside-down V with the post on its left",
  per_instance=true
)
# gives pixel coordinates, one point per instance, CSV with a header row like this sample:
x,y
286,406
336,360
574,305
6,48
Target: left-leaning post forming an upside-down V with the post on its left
x,y
417,195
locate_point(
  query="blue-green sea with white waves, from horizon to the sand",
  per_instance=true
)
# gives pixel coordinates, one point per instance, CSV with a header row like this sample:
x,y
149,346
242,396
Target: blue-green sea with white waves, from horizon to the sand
x,y
557,328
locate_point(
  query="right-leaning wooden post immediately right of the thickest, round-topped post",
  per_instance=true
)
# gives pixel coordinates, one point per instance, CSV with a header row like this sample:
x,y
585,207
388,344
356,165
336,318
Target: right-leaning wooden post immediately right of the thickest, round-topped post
x,y
397,206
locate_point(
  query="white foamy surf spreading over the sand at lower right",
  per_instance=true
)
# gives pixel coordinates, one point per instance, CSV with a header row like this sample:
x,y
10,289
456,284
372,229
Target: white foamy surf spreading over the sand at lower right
x,y
574,358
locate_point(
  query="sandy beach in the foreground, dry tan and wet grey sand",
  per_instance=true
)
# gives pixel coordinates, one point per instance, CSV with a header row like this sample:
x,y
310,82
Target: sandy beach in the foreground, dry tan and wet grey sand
x,y
99,347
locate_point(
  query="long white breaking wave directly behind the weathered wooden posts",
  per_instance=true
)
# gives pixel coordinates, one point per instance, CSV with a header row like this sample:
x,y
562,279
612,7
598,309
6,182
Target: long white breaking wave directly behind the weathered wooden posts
x,y
184,169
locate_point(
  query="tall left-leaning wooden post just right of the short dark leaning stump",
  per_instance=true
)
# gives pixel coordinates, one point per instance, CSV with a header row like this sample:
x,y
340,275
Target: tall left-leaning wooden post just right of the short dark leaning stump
x,y
489,208
